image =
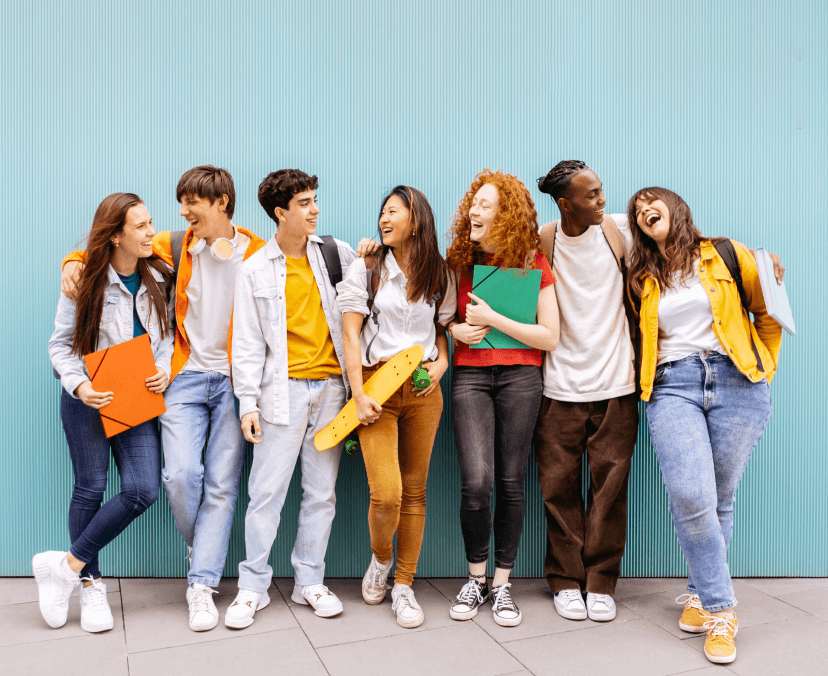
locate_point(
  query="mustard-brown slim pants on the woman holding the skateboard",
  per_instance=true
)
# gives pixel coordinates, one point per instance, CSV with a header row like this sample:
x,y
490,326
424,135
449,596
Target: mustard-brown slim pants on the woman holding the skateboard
x,y
397,451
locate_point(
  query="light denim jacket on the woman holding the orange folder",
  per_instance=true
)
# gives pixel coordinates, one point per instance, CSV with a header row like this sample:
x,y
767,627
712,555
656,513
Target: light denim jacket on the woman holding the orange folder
x,y
116,327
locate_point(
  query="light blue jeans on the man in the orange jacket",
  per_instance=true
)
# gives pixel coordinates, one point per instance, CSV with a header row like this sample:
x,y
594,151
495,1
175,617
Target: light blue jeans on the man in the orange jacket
x,y
202,496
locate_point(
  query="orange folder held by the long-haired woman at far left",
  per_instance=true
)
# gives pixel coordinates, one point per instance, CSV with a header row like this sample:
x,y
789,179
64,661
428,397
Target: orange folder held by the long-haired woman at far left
x,y
122,370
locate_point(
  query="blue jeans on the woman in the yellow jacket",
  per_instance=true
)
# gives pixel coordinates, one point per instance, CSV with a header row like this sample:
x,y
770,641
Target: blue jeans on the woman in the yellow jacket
x,y
705,419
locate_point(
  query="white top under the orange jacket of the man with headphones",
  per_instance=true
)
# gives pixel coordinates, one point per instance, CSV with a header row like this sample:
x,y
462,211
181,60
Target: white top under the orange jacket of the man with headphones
x,y
210,306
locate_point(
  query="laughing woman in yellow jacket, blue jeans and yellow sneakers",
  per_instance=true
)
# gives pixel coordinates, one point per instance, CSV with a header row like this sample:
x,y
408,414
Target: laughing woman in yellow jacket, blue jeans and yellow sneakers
x,y
705,369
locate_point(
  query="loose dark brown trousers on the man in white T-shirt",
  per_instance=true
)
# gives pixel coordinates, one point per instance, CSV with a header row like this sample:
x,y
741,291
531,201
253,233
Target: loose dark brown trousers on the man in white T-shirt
x,y
585,551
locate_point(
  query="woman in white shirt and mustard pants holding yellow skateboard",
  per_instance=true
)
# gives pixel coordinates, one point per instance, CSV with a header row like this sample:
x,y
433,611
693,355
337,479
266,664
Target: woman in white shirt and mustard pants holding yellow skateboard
x,y
413,301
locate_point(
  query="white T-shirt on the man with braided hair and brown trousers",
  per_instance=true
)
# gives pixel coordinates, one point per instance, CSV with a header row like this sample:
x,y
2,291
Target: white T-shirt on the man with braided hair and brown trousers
x,y
594,358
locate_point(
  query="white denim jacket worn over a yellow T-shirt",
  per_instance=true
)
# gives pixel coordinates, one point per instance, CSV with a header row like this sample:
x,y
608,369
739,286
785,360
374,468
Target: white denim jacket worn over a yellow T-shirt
x,y
259,351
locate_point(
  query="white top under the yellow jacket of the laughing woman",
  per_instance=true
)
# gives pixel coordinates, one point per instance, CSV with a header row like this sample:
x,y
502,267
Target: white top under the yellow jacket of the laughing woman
x,y
685,320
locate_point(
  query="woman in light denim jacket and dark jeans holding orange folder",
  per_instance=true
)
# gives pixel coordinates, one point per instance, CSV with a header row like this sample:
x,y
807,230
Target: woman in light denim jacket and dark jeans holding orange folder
x,y
121,295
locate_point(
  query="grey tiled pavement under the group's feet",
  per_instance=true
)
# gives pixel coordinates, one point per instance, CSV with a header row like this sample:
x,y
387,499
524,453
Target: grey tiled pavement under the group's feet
x,y
783,629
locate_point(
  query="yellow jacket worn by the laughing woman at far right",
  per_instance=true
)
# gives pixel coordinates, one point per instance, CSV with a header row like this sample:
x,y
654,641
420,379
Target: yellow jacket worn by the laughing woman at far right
x,y
731,323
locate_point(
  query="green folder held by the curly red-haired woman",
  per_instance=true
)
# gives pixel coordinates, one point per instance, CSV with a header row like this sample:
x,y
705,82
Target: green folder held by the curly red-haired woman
x,y
512,292
